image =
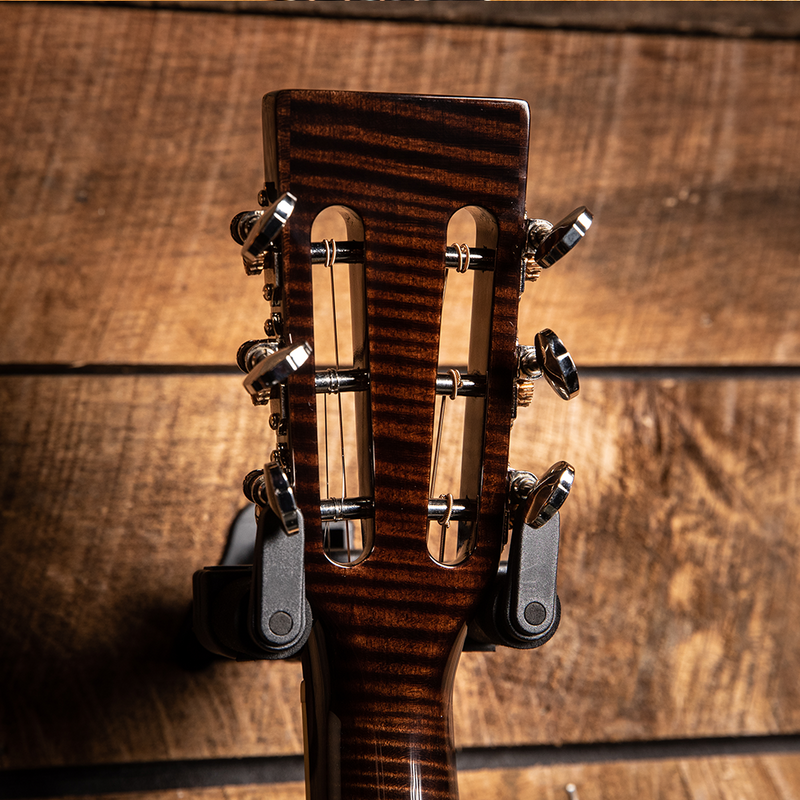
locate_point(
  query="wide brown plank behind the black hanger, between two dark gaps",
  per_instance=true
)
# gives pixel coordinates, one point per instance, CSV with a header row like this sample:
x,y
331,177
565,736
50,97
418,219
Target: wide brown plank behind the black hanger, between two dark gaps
x,y
677,576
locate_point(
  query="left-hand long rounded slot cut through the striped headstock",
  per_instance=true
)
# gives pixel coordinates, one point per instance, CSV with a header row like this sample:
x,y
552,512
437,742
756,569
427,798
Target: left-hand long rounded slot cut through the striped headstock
x,y
343,435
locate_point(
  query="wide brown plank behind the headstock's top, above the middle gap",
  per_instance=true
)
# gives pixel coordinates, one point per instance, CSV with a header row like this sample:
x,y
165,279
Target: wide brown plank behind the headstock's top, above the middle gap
x,y
128,144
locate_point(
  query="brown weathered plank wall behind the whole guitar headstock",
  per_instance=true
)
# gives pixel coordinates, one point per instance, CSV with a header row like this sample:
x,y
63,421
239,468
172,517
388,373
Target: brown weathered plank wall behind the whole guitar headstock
x,y
131,135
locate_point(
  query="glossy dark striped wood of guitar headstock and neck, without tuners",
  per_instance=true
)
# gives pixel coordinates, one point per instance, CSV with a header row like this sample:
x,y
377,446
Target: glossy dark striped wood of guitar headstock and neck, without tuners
x,y
388,630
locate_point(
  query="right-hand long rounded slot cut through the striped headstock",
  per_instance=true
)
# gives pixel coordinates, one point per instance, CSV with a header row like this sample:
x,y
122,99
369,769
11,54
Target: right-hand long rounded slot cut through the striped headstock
x,y
455,472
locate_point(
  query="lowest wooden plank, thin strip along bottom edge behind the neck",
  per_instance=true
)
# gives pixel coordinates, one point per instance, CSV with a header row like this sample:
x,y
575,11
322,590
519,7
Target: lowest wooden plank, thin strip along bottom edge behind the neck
x,y
773,777
